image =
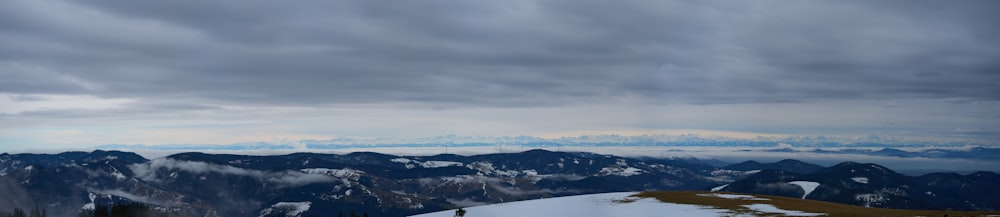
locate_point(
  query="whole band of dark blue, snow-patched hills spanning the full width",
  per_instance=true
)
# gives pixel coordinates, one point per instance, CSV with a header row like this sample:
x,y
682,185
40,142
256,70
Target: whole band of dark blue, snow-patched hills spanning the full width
x,y
305,184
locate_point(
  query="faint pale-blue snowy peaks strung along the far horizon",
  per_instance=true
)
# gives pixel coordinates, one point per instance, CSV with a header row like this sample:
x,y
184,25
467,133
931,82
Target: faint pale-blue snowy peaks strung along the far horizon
x,y
583,140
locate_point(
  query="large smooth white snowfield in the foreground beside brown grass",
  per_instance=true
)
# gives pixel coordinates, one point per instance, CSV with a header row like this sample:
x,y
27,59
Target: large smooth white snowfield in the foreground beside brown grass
x,y
596,205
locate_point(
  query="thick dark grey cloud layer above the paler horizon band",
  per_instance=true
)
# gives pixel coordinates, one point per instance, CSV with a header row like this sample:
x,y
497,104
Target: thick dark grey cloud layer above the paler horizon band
x,y
507,53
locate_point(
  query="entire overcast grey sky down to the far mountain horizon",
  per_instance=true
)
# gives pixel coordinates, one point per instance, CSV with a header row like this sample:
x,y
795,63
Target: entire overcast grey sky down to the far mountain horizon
x,y
76,74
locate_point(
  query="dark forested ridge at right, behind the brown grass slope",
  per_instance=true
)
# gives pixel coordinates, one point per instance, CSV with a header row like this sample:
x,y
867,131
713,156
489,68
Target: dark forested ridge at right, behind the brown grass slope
x,y
872,185
